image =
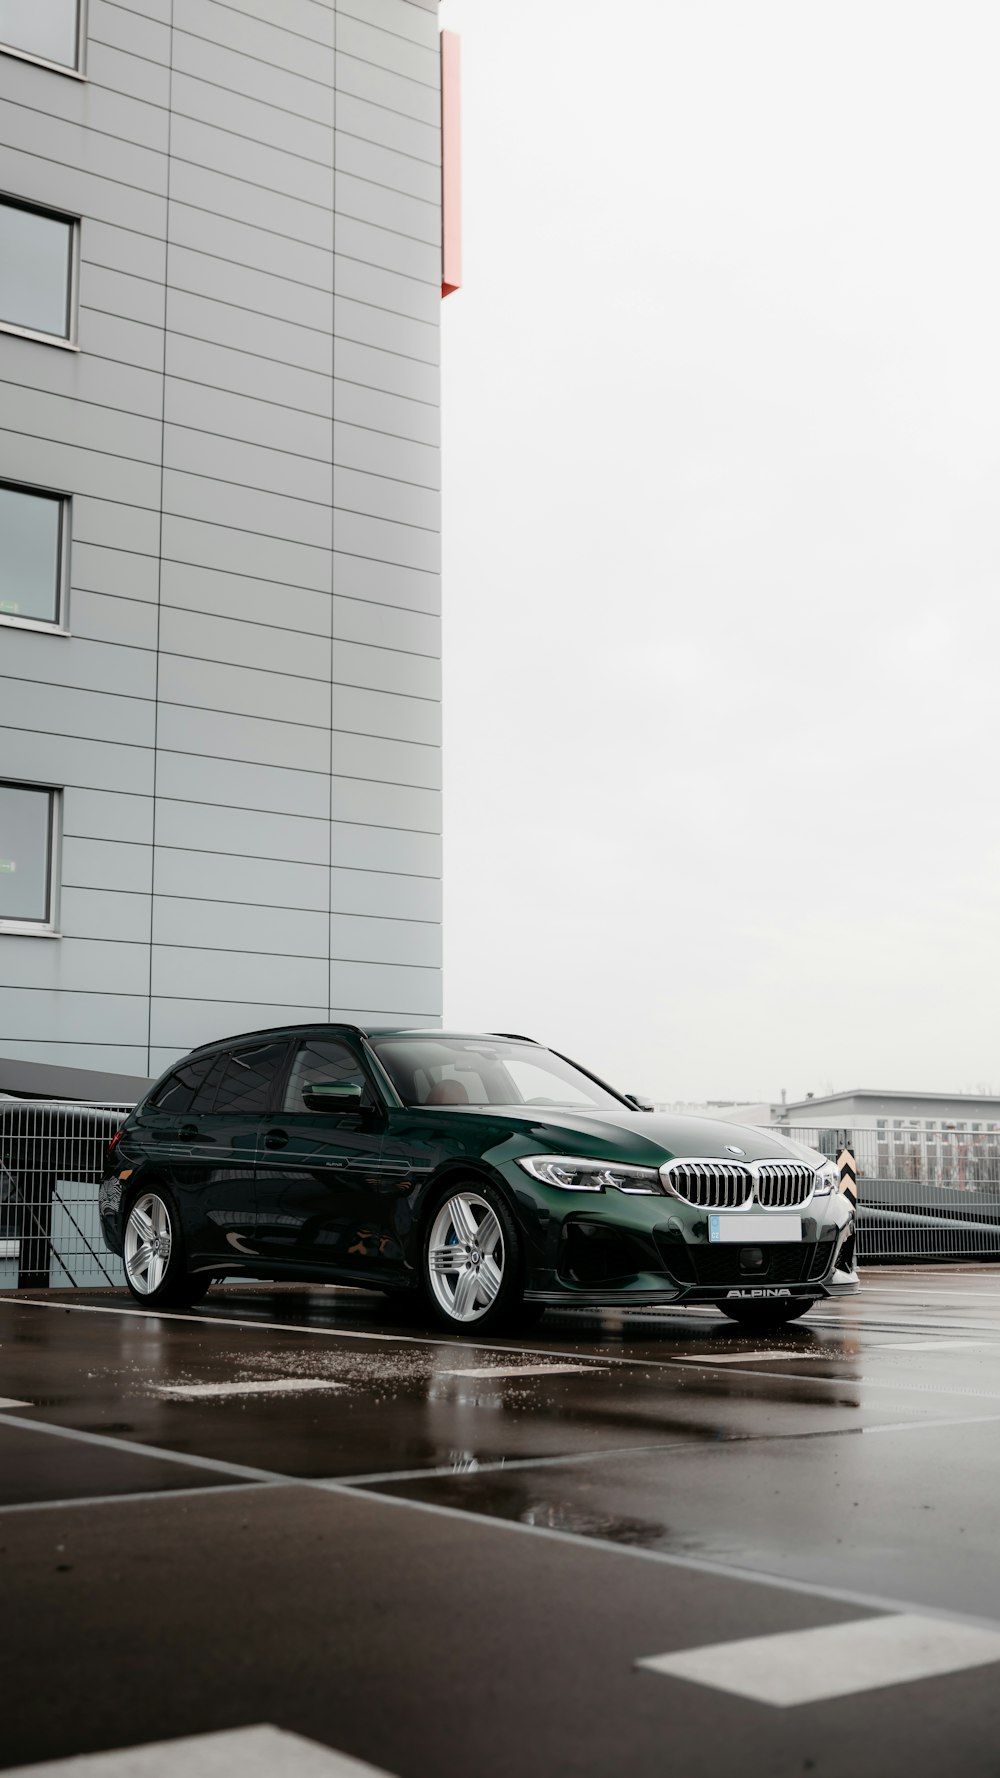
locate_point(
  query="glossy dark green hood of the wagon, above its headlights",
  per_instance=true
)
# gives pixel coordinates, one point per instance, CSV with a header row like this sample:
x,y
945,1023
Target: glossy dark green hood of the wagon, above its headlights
x,y
649,1139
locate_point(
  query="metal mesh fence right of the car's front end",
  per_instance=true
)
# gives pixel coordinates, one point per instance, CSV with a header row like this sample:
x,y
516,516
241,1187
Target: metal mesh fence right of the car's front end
x,y
926,1190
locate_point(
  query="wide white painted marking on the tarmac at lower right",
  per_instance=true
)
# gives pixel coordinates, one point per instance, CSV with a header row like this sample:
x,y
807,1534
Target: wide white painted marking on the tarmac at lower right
x,y
835,1662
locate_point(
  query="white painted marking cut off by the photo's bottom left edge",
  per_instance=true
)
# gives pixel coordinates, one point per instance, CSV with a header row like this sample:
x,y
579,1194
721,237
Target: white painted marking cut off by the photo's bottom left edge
x,y
261,1752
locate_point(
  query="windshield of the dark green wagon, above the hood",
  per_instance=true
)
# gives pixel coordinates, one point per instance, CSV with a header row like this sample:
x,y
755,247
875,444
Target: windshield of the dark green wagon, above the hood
x,y
485,1071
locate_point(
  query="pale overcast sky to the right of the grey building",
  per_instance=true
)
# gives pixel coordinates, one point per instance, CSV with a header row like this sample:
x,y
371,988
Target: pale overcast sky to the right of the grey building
x,y
722,550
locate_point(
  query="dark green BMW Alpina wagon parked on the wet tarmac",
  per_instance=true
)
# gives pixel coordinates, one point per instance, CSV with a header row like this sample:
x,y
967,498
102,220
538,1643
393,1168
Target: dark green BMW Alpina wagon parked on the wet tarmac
x,y
485,1176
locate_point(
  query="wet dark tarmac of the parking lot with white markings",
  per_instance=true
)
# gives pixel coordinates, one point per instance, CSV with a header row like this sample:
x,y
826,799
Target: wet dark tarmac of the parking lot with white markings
x,y
300,1509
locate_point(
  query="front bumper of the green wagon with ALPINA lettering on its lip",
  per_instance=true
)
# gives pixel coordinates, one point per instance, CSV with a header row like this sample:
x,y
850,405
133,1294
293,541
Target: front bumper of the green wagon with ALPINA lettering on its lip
x,y
647,1251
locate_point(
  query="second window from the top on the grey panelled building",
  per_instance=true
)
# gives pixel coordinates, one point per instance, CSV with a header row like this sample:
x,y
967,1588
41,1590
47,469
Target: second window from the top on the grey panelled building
x,y
38,255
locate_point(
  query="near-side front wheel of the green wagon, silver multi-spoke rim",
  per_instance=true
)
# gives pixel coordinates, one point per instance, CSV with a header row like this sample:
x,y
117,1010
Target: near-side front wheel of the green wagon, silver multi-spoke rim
x,y
472,1260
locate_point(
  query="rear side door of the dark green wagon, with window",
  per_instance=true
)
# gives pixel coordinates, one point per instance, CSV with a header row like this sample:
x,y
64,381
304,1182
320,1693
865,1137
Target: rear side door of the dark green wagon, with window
x,y
207,1153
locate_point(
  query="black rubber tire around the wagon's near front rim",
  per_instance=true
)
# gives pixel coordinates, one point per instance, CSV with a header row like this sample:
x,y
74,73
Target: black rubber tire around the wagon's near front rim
x,y
506,1256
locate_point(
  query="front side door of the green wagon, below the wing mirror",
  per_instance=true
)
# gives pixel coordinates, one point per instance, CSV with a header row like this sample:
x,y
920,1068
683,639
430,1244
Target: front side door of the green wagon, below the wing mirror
x,y
318,1183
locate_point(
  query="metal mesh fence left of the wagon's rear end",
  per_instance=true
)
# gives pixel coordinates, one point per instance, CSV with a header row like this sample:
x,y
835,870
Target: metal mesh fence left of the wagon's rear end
x,y
51,1165
